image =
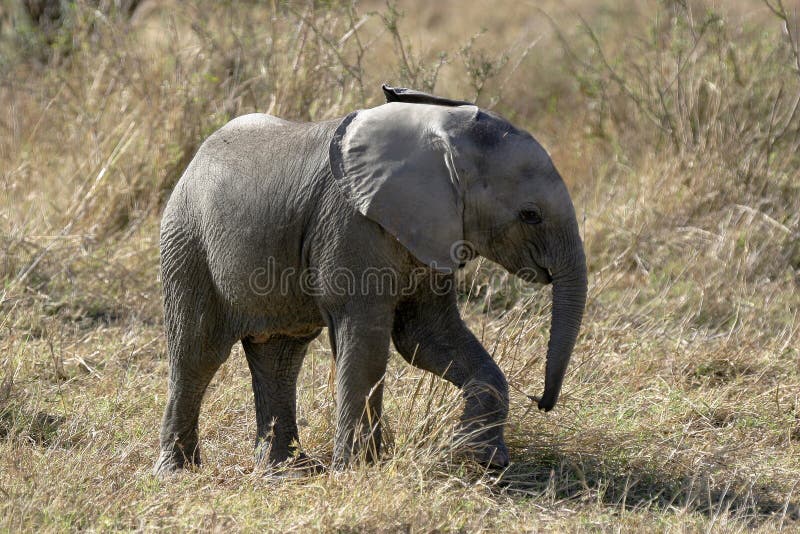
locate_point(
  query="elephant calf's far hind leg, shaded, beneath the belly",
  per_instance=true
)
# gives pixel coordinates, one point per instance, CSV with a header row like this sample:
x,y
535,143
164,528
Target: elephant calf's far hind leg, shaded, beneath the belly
x,y
274,366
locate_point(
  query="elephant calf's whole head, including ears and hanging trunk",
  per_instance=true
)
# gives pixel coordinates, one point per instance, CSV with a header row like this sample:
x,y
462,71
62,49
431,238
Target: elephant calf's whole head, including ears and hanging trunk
x,y
438,173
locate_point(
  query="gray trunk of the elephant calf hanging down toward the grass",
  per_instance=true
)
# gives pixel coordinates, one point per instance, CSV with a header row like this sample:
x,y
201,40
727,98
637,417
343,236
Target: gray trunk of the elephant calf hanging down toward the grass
x,y
569,300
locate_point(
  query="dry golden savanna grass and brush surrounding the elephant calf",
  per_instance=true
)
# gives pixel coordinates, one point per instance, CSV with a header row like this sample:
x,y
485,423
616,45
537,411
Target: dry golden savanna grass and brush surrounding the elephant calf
x,y
676,126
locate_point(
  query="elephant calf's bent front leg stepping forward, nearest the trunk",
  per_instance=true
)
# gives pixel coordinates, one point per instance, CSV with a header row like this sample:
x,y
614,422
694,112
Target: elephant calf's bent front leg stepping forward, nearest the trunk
x,y
429,333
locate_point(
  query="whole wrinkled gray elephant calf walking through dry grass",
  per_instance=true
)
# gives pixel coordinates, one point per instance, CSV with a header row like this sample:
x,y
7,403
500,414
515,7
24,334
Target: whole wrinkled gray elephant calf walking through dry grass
x,y
392,188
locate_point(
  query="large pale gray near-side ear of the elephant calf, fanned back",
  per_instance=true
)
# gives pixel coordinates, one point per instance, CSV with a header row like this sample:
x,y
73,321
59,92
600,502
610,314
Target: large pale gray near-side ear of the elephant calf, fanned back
x,y
395,165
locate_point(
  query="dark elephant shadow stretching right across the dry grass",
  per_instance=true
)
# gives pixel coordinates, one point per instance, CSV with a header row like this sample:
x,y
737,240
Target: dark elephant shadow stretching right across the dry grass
x,y
544,475
